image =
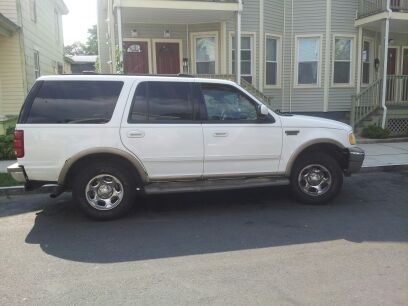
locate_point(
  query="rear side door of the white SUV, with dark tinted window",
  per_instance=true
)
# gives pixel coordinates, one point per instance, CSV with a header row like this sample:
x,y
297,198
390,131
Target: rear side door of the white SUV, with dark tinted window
x,y
162,128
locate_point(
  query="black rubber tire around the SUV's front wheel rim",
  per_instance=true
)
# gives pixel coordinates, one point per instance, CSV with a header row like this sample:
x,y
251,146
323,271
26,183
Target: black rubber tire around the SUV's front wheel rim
x,y
316,162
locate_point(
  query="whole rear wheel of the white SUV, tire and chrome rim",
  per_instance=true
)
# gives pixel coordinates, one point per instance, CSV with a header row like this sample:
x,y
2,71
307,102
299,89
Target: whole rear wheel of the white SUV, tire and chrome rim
x,y
104,191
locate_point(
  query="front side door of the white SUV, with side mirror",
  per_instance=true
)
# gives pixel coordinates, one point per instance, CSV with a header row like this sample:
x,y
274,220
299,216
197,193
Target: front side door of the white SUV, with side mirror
x,y
237,139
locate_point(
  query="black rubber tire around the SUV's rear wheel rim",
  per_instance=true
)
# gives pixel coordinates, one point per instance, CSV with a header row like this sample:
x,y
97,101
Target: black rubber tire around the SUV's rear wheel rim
x,y
117,171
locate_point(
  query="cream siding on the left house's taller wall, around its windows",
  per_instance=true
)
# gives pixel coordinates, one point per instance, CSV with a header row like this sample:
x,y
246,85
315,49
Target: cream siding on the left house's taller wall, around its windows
x,y
41,36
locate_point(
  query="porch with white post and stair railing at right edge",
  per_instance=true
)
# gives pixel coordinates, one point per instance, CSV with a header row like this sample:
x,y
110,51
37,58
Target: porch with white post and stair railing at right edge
x,y
382,93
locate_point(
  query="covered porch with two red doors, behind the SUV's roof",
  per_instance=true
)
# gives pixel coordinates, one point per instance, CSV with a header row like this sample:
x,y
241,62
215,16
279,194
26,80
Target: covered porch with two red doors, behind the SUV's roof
x,y
169,37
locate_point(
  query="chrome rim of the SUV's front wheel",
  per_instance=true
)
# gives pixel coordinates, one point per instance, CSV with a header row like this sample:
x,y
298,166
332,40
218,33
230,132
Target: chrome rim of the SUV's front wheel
x,y
315,180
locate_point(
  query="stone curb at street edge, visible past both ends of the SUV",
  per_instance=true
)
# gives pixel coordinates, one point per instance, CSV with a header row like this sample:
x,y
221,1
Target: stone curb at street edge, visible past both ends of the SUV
x,y
19,190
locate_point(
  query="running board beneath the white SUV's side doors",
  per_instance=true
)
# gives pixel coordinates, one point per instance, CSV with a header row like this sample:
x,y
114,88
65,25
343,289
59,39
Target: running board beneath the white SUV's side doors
x,y
214,185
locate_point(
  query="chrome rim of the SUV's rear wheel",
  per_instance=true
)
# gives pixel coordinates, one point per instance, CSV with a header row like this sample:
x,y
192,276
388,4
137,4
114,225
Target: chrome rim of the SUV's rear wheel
x,y
104,192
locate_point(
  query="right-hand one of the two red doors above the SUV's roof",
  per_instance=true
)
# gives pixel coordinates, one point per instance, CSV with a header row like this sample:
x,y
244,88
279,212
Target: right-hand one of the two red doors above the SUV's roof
x,y
167,58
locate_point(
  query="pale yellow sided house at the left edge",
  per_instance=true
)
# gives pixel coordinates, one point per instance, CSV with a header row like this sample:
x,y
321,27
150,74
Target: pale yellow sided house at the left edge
x,y
31,45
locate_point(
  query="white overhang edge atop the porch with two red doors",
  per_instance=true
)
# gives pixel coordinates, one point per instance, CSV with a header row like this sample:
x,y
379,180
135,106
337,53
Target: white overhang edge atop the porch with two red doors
x,y
176,11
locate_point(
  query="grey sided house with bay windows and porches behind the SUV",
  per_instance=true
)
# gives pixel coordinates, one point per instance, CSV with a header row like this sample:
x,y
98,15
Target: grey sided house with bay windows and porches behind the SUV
x,y
341,59
